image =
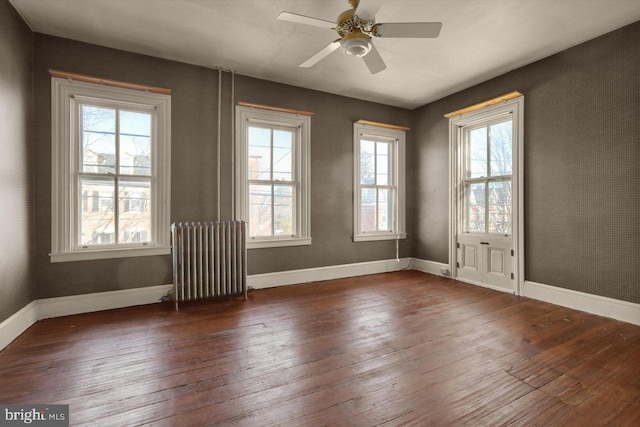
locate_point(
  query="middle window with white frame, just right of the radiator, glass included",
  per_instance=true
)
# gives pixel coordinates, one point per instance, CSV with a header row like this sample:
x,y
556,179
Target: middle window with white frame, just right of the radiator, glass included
x,y
273,175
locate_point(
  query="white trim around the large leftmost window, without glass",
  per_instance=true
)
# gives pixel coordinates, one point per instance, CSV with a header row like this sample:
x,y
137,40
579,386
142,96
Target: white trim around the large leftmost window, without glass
x,y
63,185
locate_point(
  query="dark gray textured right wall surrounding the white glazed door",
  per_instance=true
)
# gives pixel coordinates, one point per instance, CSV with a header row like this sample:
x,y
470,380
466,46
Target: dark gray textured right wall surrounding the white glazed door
x,y
582,166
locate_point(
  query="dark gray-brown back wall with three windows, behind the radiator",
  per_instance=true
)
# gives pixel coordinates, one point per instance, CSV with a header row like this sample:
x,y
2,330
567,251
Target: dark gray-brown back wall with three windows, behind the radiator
x,y
193,169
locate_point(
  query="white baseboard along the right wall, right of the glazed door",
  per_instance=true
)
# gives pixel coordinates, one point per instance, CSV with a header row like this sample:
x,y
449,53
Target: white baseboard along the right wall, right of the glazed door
x,y
595,304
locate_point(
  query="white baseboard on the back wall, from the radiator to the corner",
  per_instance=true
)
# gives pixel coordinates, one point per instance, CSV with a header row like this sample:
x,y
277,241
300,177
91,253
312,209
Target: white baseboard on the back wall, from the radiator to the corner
x,y
295,277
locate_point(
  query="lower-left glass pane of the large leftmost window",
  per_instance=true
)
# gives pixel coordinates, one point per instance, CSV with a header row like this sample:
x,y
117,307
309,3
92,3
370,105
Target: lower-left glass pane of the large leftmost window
x,y
97,218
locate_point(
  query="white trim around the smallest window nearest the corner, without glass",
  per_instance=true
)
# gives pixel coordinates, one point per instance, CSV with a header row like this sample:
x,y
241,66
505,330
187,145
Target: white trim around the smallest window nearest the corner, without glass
x,y
399,148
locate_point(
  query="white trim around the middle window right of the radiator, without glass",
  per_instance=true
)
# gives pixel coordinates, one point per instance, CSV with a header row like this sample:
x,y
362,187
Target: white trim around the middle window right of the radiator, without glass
x,y
248,115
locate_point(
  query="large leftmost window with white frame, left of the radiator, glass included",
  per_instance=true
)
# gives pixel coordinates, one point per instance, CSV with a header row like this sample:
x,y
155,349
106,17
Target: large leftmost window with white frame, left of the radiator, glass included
x,y
110,171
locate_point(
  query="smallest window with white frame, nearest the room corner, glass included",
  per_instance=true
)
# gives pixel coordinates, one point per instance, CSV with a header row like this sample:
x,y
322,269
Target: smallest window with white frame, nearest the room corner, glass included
x,y
379,201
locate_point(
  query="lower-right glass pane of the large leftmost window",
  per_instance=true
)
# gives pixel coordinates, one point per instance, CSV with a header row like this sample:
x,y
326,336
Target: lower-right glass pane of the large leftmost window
x,y
135,211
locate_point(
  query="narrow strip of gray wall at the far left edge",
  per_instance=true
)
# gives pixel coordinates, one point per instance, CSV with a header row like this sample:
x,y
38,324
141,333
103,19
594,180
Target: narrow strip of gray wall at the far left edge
x,y
16,162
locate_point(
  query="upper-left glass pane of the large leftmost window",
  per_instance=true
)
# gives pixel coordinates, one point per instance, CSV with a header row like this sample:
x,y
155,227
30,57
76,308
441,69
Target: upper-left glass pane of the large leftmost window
x,y
98,129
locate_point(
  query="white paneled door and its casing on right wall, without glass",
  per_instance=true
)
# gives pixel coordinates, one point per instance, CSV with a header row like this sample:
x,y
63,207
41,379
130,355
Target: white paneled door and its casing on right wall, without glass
x,y
494,260
